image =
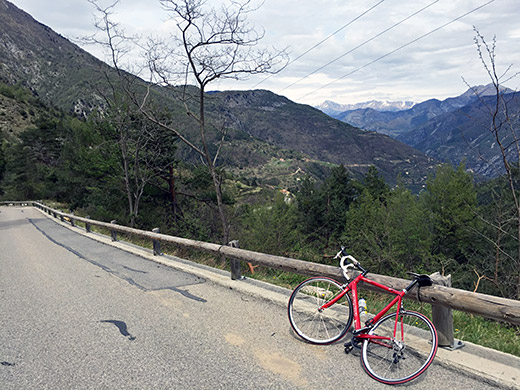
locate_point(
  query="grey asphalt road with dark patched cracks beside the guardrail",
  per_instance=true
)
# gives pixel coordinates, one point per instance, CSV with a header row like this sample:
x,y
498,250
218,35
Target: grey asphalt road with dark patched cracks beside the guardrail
x,y
77,314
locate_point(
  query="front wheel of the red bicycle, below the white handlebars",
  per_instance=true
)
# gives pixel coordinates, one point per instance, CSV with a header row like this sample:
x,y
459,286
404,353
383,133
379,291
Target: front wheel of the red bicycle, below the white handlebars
x,y
309,321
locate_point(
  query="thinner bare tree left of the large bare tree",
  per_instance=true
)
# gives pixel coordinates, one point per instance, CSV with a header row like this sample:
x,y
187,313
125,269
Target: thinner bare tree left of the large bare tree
x,y
145,151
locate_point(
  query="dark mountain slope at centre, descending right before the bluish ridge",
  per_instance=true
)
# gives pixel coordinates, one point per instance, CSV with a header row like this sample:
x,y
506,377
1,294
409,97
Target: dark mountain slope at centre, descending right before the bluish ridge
x,y
304,129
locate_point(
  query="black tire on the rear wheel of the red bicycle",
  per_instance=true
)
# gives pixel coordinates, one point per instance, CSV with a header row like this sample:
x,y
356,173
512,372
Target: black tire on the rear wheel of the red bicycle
x,y
411,376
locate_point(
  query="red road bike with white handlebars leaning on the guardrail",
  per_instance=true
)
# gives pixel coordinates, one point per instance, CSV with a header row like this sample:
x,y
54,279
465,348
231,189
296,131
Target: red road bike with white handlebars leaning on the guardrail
x,y
395,348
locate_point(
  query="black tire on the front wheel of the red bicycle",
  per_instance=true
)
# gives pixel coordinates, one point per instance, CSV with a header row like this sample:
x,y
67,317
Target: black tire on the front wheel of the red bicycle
x,y
297,327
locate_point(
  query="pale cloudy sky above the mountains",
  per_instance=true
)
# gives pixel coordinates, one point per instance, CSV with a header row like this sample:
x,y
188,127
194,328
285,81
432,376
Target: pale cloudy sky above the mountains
x,y
361,49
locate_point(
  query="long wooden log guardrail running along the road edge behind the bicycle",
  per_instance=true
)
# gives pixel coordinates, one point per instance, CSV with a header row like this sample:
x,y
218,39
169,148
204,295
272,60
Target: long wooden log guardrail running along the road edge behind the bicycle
x,y
488,306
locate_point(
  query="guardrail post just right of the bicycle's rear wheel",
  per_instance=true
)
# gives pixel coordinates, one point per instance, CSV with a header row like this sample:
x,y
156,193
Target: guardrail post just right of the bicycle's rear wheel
x,y
442,317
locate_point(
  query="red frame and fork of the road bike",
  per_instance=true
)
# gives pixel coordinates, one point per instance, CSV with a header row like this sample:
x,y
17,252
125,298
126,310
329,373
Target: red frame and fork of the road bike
x,y
352,286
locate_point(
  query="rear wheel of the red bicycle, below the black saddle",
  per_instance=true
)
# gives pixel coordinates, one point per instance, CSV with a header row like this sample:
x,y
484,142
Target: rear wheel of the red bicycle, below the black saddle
x,y
398,358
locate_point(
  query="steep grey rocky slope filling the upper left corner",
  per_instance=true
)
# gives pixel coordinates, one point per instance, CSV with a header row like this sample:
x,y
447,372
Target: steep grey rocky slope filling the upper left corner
x,y
36,57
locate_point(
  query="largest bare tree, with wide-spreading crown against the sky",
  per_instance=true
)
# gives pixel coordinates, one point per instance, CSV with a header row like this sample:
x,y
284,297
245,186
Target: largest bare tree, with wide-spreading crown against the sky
x,y
209,45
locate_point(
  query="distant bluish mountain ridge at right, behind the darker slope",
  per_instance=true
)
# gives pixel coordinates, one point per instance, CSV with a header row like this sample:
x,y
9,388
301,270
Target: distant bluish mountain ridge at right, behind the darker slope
x,y
442,129
